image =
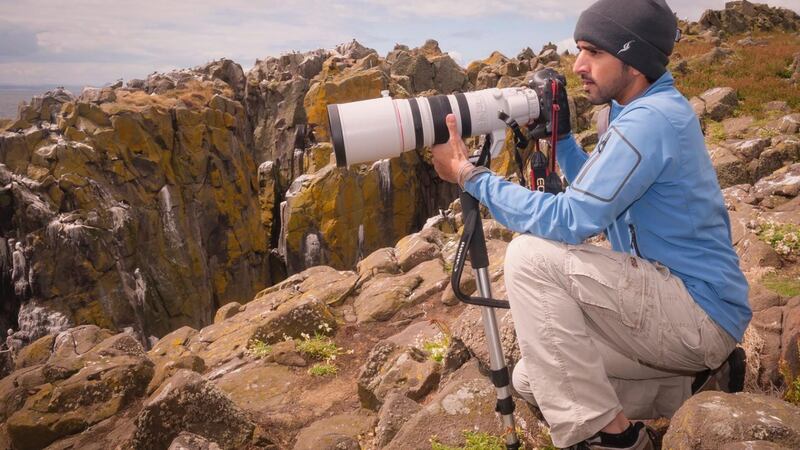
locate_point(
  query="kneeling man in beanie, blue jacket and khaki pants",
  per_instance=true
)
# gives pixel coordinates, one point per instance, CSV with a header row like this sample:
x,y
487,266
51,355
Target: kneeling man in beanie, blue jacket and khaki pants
x,y
607,335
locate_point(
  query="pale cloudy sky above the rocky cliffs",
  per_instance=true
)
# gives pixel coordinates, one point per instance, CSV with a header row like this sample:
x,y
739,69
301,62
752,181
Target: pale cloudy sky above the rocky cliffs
x,y
95,42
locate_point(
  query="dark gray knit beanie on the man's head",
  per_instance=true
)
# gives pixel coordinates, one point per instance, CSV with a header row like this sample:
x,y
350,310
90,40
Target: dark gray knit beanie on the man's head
x,y
639,32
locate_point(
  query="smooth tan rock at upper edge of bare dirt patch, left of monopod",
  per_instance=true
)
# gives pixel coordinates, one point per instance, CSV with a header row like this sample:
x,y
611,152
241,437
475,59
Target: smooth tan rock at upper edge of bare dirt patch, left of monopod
x,y
382,297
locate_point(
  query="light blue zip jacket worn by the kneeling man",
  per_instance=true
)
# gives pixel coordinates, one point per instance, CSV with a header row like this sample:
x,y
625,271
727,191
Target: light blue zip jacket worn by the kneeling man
x,y
650,186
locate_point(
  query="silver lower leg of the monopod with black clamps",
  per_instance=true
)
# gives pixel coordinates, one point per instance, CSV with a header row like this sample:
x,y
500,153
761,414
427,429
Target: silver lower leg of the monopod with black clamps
x,y
499,370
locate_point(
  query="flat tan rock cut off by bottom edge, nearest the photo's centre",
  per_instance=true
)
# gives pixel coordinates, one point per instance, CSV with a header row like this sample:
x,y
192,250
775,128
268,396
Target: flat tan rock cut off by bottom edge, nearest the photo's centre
x,y
343,431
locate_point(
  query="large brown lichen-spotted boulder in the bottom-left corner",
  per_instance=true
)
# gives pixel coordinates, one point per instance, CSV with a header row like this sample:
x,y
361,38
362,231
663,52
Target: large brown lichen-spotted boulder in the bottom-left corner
x,y
81,392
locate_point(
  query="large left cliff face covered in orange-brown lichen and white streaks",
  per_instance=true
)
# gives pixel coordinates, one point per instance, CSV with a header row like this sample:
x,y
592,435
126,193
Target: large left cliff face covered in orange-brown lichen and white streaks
x,y
134,209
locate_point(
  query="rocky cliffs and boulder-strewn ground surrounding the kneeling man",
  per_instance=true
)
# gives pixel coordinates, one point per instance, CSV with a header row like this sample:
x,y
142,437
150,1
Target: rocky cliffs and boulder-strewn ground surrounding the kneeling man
x,y
294,304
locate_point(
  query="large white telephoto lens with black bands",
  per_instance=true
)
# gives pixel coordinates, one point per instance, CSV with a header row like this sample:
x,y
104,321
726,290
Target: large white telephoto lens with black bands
x,y
384,127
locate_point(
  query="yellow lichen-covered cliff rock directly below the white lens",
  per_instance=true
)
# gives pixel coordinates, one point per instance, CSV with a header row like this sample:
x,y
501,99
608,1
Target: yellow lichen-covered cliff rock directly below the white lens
x,y
337,206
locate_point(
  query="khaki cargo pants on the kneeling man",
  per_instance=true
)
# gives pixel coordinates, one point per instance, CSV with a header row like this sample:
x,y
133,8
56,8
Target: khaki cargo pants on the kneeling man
x,y
602,332
